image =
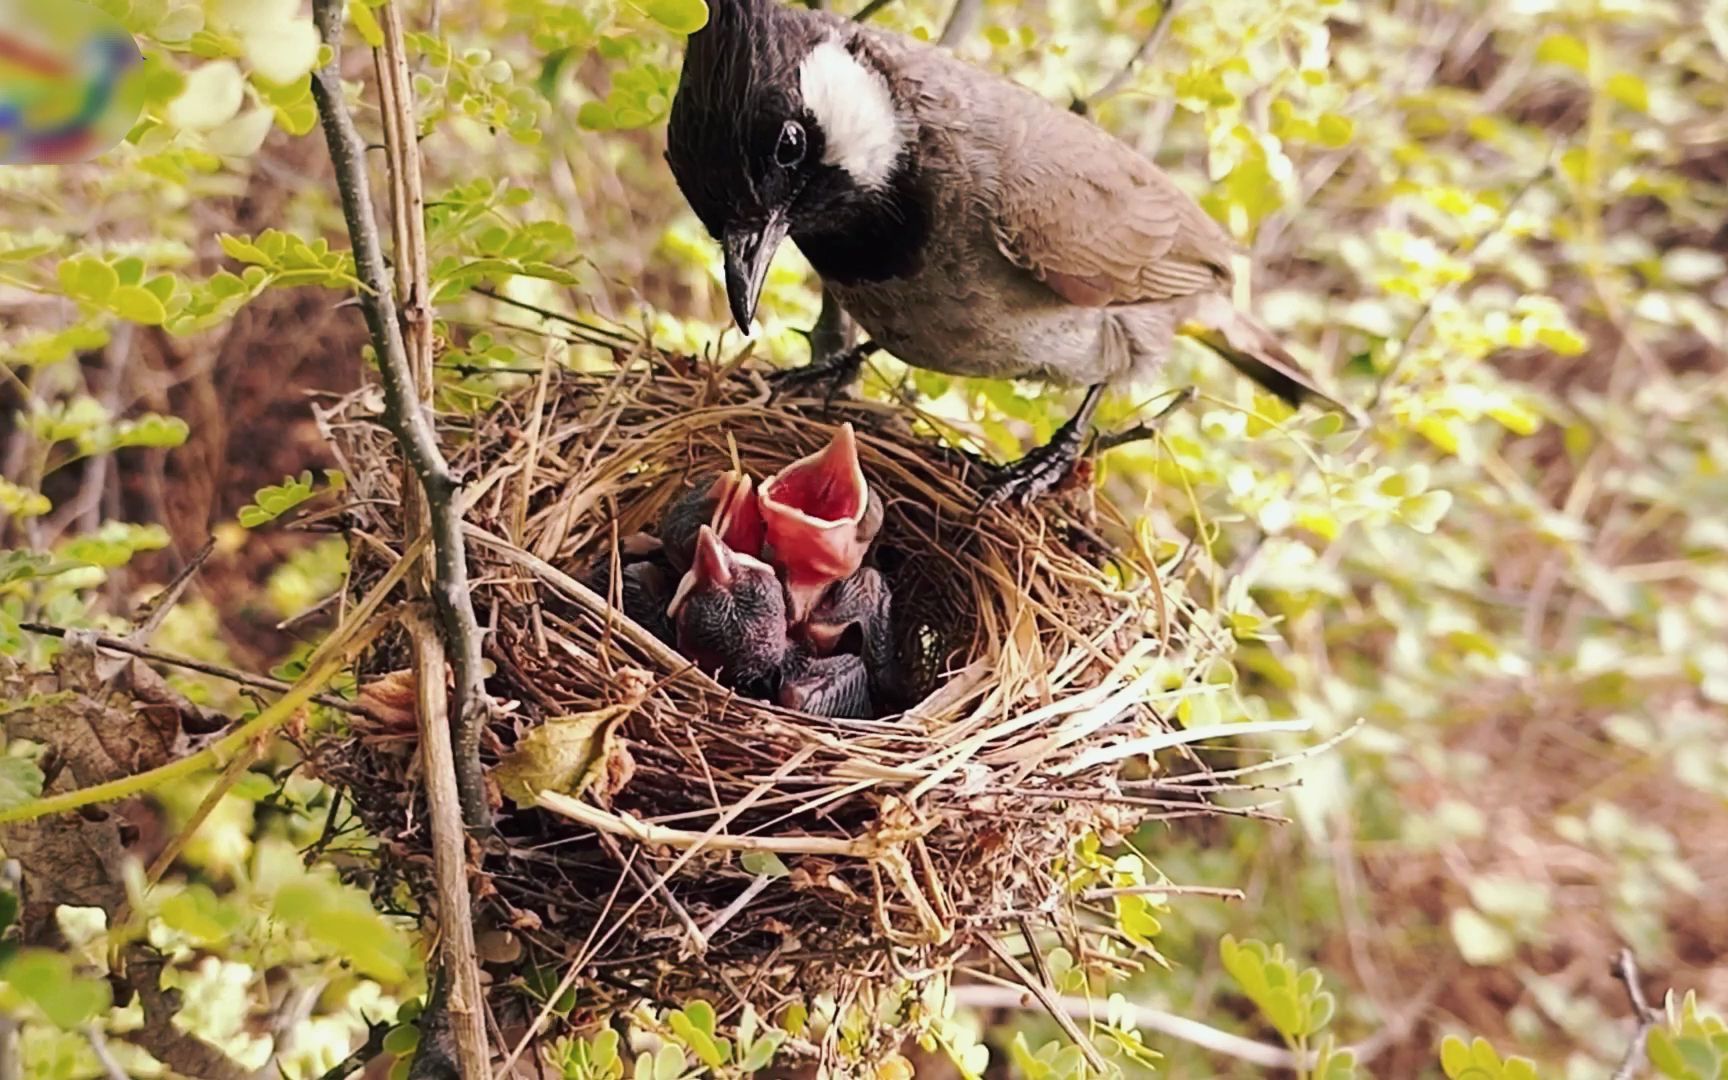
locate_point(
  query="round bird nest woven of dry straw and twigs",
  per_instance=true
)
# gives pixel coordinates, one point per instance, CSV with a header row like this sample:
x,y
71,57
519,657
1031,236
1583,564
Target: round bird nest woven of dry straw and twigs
x,y
699,842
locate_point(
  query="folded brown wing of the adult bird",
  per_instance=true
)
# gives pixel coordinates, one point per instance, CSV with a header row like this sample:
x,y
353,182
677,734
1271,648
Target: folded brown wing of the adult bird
x,y
1098,222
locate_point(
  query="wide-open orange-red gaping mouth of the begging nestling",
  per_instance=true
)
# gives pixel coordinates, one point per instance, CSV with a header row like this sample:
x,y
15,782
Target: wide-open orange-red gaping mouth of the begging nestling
x,y
820,518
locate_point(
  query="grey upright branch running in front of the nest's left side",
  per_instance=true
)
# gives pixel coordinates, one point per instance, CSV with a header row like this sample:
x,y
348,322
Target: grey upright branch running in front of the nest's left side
x,y
405,416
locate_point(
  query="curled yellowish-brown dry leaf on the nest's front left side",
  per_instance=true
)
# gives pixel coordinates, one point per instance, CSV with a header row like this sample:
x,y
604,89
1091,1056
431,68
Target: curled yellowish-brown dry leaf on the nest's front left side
x,y
573,756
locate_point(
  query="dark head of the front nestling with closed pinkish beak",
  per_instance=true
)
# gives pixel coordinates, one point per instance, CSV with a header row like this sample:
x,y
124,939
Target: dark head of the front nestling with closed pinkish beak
x,y
730,616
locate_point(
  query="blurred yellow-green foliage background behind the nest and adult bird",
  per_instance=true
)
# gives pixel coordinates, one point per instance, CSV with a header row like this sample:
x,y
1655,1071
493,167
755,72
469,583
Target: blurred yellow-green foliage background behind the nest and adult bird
x,y
1499,226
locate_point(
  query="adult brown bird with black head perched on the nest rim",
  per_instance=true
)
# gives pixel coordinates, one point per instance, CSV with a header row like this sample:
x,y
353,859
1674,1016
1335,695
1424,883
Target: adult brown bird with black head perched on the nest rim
x,y
963,222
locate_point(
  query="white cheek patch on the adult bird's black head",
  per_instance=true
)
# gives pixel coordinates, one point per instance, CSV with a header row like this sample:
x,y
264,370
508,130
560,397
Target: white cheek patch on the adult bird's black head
x,y
856,111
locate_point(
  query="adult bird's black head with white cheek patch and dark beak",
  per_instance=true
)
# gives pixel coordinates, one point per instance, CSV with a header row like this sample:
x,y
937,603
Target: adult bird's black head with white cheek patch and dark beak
x,y
782,125
